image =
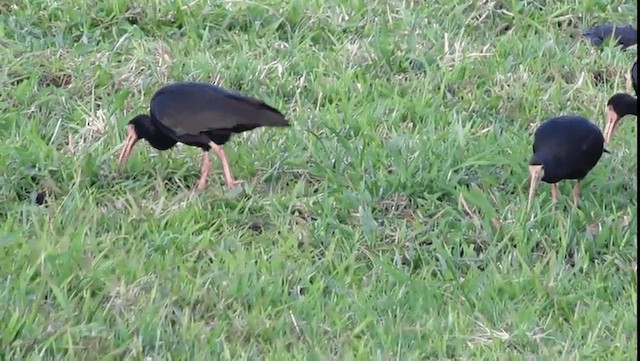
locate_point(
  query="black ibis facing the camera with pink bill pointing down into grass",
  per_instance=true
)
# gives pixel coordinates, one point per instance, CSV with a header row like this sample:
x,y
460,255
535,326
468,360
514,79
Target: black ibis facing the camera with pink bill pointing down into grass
x,y
564,147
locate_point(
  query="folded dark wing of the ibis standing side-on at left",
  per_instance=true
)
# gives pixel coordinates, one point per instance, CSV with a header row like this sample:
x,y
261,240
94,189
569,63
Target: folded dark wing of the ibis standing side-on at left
x,y
192,108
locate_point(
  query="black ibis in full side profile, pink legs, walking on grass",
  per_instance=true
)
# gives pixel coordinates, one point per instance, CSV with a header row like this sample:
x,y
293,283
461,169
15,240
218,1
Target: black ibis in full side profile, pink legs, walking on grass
x,y
201,115
